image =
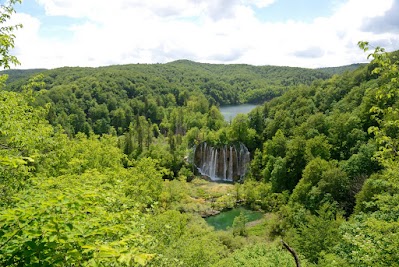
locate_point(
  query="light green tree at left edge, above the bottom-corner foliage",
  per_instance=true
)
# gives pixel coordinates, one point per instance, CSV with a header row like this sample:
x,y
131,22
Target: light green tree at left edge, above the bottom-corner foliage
x,y
24,134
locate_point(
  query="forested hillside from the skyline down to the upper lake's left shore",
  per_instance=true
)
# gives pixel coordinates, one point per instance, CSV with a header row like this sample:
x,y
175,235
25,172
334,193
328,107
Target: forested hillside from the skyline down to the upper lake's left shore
x,y
85,99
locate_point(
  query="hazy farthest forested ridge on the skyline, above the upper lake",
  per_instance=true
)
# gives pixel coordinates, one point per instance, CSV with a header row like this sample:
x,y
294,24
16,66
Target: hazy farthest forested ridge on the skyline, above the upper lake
x,y
222,84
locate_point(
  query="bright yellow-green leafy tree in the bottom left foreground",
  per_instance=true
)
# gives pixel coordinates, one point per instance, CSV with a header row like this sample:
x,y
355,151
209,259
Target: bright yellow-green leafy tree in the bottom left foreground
x,y
75,220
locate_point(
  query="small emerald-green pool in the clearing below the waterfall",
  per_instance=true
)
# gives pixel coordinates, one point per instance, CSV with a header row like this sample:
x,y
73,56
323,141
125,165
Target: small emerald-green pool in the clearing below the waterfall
x,y
225,219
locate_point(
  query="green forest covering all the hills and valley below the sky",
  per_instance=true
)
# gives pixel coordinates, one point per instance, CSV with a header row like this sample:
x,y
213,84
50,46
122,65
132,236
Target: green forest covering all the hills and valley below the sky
x,y
95,165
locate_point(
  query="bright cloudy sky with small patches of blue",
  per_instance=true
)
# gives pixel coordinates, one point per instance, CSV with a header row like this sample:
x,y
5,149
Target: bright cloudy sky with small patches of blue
x,y
299,33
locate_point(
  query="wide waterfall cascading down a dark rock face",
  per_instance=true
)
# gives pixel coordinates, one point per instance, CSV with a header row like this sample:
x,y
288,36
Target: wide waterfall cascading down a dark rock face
x,y
228,163
